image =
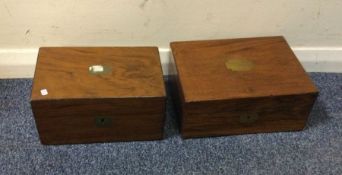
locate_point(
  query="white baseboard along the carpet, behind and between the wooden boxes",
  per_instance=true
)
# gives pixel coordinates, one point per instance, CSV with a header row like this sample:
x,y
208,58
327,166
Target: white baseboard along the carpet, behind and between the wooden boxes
x,y
20,63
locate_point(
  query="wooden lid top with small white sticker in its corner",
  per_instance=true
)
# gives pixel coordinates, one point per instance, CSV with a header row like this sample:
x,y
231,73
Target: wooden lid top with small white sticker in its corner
x,y
97,72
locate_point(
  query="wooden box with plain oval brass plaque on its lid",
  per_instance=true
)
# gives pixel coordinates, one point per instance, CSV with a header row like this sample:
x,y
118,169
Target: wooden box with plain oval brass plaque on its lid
x,y
239,86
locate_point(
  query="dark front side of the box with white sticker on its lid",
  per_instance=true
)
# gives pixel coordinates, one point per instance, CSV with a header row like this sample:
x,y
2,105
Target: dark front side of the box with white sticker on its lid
x,y
69,122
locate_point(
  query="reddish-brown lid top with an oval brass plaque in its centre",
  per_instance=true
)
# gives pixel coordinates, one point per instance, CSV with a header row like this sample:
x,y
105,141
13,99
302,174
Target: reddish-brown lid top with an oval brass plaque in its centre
x,y
238,68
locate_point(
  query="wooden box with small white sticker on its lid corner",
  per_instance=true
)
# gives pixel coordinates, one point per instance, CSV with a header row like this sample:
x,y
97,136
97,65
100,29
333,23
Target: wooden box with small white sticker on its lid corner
x,y
99,94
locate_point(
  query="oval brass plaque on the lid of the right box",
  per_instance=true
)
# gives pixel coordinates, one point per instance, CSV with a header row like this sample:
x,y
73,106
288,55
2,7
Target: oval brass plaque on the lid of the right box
x,y
239,65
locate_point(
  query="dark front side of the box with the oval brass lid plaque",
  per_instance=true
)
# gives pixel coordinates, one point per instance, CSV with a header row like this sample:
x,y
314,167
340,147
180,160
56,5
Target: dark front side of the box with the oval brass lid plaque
x,y
243,116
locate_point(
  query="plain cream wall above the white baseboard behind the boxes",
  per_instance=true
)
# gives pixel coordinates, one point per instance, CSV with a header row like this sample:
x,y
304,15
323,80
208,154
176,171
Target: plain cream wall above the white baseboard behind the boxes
x,y
29,24
